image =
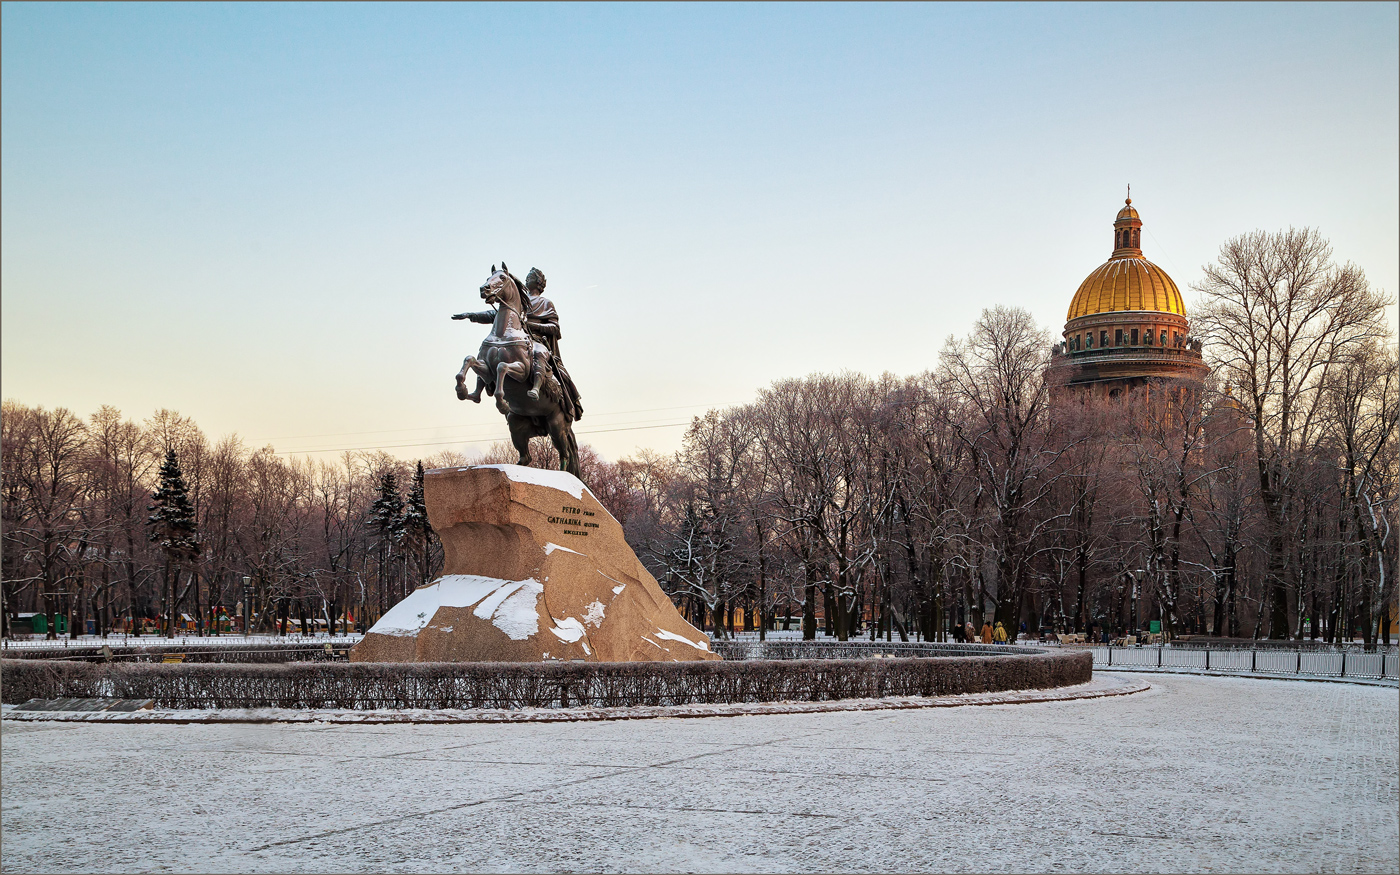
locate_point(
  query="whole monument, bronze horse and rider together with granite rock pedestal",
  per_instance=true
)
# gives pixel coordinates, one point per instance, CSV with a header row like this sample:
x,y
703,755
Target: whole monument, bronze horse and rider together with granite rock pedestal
x,y
534,568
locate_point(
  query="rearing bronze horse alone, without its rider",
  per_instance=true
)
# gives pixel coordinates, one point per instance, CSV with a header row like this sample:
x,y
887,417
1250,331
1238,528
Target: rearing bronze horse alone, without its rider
x,y
503,369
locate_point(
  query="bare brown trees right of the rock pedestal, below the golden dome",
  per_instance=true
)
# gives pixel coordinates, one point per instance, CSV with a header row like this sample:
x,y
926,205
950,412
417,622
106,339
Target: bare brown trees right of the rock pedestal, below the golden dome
x,y
1259,505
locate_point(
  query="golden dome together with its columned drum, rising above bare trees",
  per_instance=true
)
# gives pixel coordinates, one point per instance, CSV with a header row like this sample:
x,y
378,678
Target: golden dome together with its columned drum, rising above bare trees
x,y
1128,324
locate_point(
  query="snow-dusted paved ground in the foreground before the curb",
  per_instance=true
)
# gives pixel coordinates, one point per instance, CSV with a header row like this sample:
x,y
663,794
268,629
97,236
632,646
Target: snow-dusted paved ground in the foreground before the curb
x,y
1195,775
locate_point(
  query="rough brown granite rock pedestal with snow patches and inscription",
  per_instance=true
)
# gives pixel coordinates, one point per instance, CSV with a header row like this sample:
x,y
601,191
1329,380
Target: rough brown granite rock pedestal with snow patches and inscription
x,y
534,569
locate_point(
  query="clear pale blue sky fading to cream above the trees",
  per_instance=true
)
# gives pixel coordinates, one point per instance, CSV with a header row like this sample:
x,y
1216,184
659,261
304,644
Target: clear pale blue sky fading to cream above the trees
x,y
262,215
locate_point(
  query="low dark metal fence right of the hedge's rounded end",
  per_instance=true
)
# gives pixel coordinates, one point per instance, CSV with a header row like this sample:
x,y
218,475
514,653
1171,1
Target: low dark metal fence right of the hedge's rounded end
x,y
1347,663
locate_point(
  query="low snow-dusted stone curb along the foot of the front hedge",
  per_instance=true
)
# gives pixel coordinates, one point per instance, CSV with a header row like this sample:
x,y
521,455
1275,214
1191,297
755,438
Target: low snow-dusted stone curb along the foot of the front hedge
x,y
1100,688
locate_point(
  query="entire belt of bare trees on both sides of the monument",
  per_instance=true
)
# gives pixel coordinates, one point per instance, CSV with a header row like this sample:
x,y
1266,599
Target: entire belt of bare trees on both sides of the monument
x,y
1262,503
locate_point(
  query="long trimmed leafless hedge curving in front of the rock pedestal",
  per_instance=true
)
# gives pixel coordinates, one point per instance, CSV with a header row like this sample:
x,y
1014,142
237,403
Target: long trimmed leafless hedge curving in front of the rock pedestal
x,y
527,685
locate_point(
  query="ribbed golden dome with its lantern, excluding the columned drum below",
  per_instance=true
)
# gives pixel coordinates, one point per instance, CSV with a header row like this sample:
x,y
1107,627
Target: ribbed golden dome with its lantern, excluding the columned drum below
x,y
1128,282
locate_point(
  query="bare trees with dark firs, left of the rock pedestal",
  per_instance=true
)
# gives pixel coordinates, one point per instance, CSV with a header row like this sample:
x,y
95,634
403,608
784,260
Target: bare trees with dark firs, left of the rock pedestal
x,y
124,524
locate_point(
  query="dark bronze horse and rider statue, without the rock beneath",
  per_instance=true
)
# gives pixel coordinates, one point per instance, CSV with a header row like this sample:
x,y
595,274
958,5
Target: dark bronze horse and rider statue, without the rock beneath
x,y
519,365
